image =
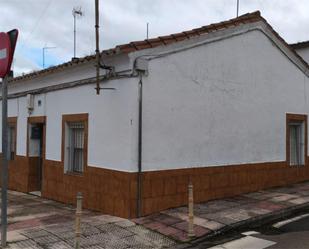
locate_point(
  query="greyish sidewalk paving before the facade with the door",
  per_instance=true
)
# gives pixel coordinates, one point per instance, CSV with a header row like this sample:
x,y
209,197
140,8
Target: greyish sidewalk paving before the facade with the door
x,y
36,223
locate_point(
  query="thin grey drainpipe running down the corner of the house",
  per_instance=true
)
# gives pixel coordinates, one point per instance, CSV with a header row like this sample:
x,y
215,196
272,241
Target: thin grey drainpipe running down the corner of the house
x,y
140,123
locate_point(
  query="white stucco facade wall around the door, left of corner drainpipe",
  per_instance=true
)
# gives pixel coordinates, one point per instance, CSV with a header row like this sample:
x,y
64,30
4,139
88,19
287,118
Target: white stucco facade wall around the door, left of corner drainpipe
x,y
112,121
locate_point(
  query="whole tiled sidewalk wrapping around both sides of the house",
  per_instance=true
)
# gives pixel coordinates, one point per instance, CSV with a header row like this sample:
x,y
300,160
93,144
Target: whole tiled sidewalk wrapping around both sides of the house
x,y
35,222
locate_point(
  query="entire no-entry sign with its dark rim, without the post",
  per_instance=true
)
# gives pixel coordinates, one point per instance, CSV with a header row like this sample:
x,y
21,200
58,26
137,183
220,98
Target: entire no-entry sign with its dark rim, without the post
x,y
7,48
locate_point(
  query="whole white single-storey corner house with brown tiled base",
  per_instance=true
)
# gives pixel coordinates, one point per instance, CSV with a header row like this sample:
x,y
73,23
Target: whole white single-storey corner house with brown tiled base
x,y
224,106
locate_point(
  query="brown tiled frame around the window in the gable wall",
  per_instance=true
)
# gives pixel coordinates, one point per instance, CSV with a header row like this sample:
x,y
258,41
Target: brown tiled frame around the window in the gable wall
x,y
294,119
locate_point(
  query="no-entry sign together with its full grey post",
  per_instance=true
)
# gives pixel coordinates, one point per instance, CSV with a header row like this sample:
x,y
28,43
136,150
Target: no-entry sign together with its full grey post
x,y
7,47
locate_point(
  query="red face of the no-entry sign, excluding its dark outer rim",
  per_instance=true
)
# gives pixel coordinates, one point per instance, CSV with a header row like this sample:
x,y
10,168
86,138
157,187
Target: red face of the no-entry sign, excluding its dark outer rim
x,y
5,54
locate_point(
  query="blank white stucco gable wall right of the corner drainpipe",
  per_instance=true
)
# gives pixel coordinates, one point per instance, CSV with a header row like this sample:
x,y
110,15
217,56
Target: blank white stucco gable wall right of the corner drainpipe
x,y
219,104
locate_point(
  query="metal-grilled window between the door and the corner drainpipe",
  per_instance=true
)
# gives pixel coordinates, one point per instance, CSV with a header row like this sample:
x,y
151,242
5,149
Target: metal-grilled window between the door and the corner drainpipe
x,y
75,147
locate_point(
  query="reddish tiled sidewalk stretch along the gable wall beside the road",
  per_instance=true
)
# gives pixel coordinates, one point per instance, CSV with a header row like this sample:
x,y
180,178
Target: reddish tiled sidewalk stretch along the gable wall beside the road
x,y
218,216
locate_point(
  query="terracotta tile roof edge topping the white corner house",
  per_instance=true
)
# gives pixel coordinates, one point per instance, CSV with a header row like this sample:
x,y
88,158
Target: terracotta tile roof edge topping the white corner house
x,y
161,41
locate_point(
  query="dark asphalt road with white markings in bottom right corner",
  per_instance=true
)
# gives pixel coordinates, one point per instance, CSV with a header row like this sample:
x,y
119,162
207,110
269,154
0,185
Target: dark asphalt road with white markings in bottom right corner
x,y
288,234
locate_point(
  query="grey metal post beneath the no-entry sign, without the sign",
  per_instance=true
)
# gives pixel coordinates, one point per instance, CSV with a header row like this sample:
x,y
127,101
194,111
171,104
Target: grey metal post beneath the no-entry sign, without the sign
x,y
4,184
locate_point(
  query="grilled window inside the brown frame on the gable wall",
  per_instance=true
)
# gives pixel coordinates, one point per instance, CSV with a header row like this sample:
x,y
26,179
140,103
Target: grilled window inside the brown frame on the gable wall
x,y
297,143
